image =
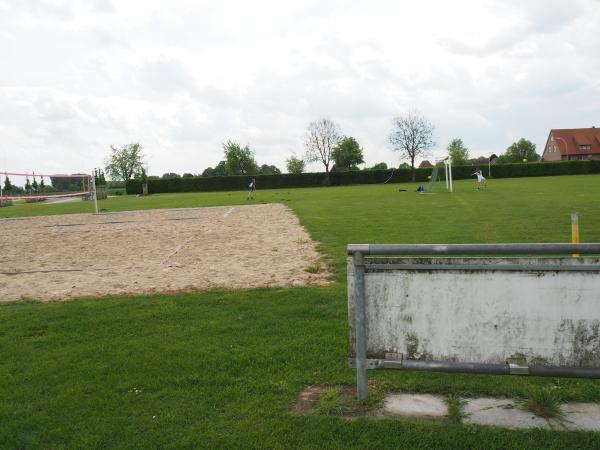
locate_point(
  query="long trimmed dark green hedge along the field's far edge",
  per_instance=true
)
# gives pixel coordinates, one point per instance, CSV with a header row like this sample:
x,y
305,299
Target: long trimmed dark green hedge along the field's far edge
x,y
234,183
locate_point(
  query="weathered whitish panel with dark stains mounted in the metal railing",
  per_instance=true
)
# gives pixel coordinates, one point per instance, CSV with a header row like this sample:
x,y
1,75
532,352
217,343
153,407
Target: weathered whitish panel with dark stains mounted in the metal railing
x,y
487,315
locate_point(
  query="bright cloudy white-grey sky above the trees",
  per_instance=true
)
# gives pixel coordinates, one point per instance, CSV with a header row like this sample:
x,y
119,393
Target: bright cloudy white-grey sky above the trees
x,y
183,77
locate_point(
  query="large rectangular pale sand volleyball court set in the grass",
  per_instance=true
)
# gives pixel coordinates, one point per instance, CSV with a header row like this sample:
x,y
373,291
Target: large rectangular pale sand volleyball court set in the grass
x,y
79,255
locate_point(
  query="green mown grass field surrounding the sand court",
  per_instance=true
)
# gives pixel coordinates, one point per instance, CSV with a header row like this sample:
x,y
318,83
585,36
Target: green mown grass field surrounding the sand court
x,y
222,369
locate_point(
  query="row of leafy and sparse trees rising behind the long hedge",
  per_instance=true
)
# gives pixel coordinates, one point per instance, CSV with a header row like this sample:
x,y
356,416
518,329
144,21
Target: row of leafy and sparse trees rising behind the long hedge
x,y
412,136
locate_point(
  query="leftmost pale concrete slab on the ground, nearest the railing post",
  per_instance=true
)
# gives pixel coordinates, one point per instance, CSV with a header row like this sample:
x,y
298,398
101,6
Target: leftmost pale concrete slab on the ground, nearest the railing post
x,y
422,406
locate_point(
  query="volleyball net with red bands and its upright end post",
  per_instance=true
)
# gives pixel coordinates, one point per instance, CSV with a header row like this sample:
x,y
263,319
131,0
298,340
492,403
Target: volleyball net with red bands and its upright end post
x,y
31,187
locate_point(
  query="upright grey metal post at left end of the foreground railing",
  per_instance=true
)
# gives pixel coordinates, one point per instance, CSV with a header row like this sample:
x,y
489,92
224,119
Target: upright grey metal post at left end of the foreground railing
x,y
360,331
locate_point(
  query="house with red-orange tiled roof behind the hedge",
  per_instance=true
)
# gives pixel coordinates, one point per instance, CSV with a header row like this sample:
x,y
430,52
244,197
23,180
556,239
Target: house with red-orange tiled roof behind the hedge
x,y
576,143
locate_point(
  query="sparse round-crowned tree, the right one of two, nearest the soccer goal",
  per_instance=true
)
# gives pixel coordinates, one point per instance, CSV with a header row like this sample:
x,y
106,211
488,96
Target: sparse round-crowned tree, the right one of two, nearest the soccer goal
x,y
412,136
